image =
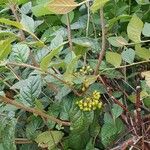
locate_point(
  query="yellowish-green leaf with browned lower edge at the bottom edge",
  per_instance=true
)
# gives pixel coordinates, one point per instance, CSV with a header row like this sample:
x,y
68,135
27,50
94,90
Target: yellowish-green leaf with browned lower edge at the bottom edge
x,y
49,139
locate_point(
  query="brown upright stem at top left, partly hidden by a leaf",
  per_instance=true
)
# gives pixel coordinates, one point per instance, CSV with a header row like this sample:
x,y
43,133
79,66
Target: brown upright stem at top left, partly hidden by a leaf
x,y
14,11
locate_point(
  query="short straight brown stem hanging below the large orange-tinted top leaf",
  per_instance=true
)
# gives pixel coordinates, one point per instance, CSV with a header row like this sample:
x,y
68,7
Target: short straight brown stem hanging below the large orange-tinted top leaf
x,y
69,32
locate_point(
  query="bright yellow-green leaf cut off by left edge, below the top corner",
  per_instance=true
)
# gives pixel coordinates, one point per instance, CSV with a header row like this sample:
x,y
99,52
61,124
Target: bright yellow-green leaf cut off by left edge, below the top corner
x,y
5,48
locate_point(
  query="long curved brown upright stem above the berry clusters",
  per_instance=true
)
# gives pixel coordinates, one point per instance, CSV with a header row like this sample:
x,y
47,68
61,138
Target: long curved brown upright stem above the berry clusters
x,y
102,52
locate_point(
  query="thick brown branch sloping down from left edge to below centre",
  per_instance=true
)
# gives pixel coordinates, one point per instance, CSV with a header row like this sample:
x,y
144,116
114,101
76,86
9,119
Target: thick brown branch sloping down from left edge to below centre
x,y
34,111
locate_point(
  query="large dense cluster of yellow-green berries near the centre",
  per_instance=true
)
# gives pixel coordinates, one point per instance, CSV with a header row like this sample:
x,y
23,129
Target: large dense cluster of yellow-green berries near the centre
x,y
90,103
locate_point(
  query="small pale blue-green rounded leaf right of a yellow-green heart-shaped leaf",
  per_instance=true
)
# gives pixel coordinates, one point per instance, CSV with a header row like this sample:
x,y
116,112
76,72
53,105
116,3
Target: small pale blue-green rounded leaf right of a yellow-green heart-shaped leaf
x,y
128,55
